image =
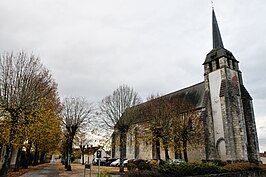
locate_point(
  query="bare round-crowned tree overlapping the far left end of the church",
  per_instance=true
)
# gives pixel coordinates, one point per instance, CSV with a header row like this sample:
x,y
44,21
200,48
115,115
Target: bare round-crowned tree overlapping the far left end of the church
x,y
113,107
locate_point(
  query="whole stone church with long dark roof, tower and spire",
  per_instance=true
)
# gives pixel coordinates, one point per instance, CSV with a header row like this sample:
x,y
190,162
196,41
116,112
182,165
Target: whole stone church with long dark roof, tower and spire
x,y
222,103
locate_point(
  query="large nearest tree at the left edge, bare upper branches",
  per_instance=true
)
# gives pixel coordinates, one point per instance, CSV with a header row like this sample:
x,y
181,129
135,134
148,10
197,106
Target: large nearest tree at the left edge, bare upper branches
x,y
24,82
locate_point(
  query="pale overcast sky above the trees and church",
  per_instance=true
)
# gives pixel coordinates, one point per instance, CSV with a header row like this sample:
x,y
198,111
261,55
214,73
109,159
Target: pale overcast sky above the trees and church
x,y
154,46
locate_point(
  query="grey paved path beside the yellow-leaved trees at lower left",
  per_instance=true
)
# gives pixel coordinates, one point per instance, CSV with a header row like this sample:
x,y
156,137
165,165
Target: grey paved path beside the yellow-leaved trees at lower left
x,y
47,171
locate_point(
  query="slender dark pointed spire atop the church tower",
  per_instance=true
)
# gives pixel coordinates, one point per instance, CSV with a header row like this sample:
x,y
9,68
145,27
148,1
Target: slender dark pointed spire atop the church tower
x,y
216,35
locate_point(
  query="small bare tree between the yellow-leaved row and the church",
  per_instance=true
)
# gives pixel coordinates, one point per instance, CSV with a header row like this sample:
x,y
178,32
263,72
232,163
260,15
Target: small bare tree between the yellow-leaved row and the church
x,y
76,115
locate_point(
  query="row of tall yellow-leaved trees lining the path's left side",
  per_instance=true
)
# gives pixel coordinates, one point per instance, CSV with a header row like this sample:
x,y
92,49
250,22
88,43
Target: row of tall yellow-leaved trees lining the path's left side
x,y
29,108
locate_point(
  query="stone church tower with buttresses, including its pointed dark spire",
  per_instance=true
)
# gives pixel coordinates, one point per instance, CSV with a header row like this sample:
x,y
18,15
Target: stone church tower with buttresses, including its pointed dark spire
x,y
231,130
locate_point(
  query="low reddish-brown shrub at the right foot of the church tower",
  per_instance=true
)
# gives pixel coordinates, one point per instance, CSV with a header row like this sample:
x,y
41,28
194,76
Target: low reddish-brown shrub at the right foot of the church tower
x,y
241,166
